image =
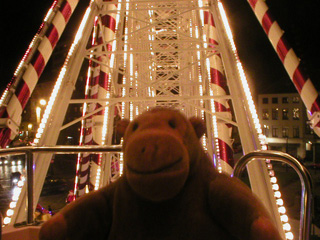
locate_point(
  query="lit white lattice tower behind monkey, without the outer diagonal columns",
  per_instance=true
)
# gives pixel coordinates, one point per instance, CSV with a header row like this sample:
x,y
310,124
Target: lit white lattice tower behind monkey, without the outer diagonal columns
x,y
153,53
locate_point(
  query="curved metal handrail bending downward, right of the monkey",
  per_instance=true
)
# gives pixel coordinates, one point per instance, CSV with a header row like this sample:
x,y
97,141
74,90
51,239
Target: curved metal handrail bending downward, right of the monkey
x,y
303,173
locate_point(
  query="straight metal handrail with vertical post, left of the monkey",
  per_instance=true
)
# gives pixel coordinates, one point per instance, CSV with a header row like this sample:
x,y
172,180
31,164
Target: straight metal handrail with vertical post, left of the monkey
x,y
28,152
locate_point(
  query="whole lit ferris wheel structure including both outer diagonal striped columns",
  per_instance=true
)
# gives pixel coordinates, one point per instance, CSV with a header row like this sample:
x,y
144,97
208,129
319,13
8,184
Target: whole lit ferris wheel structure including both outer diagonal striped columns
x,y
140,54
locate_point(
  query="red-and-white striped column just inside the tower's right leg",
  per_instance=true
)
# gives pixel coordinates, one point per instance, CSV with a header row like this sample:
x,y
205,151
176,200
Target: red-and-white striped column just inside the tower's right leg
x,y
218,84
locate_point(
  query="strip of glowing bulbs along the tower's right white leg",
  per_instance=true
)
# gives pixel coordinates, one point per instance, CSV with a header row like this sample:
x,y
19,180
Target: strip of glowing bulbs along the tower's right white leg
x,y
275,186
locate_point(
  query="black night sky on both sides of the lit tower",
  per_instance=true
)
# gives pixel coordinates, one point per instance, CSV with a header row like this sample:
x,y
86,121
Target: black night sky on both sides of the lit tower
x,y
20,20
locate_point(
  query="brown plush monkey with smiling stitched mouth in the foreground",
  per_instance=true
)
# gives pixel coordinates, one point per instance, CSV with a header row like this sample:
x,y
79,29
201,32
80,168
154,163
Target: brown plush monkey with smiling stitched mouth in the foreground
x,y
169,190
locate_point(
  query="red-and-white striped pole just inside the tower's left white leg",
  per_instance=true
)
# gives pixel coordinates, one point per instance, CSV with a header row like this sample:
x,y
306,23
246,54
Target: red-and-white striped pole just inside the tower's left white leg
x,y
100,86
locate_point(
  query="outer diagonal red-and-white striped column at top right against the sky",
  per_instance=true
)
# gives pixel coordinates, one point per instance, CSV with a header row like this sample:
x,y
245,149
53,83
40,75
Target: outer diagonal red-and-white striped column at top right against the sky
x,y
301,81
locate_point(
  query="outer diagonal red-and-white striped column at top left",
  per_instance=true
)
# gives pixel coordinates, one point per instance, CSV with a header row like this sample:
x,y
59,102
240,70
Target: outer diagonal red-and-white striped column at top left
x,y
31,67
